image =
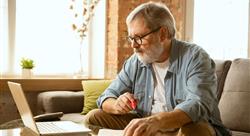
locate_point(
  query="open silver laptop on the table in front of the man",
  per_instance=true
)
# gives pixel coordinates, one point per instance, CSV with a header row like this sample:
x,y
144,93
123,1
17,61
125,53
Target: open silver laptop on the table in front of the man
x,y
43,128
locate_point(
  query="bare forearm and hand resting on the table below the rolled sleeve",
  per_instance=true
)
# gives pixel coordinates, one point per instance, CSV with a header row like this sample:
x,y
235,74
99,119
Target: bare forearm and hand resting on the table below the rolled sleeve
x,y
154,124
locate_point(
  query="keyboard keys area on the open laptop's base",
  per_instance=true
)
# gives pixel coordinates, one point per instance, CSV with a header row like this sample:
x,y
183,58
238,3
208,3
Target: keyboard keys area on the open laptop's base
x,y
48,127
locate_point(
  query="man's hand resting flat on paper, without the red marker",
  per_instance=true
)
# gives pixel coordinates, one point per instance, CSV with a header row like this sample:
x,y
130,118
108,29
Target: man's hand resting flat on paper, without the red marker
x,y
142,127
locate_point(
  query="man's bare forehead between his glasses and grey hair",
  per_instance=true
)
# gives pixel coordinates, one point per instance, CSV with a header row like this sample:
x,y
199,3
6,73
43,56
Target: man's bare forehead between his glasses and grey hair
x,y
137,27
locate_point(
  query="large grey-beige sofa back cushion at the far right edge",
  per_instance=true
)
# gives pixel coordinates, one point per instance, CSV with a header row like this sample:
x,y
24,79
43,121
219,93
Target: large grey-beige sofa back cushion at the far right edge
x,y
235,100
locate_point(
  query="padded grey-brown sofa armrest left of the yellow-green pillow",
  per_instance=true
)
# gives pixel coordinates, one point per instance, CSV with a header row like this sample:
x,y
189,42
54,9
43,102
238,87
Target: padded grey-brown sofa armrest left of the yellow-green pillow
x,y
60,101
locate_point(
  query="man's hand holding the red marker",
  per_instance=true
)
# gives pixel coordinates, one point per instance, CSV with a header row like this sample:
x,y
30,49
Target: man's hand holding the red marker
x,y
121,105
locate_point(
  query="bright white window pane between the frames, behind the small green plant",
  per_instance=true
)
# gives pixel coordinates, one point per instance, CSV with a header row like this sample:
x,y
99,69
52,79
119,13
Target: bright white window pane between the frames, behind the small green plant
x,y
45,35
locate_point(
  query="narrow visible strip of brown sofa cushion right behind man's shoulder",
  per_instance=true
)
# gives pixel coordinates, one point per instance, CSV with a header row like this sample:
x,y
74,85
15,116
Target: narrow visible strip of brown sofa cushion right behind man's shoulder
x,y
222,67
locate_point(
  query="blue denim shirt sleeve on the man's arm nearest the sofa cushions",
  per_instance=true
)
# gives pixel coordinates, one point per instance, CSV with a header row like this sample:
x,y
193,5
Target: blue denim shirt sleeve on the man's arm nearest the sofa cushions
x,y
201,86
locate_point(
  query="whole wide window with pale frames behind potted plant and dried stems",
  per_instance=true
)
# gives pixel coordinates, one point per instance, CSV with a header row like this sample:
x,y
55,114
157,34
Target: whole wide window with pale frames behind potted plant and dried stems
x,y
43,33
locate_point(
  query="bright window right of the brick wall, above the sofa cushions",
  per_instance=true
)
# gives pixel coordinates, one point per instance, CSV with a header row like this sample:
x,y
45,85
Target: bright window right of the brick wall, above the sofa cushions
x,y
221,27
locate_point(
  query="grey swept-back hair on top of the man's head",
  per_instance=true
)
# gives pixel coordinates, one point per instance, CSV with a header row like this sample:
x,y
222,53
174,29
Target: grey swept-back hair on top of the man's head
x,y
155,15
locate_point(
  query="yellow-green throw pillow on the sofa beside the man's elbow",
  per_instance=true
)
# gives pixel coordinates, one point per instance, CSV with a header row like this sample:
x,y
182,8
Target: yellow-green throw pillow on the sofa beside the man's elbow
x,y
92,89
